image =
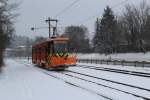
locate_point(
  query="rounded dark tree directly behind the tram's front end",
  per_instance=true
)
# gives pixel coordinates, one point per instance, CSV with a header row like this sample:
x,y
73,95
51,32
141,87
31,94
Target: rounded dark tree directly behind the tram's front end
x,y
77,38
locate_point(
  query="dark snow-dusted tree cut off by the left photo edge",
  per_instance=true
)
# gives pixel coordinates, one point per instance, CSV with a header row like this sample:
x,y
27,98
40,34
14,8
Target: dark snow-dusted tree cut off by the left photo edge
x,y
6,25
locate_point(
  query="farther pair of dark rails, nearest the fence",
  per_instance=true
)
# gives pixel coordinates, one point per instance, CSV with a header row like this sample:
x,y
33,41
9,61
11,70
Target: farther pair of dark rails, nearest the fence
x,y
135,73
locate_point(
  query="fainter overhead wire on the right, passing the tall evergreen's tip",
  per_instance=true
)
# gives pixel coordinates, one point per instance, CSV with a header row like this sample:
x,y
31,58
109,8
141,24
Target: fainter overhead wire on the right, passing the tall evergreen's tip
x,y
91,17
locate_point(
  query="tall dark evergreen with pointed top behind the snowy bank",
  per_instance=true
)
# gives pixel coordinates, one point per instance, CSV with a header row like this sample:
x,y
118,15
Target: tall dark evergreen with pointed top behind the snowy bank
x,y
105,39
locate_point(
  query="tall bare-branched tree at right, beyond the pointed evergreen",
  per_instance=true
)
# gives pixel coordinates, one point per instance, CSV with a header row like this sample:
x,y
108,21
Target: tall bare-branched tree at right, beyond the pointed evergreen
x,y
134,22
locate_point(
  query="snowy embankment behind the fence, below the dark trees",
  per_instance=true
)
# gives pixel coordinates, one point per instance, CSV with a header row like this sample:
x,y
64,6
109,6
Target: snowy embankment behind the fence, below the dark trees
x,y
119,56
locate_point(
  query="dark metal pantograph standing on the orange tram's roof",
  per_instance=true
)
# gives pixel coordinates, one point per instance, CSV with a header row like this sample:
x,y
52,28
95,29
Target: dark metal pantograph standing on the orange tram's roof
x,y
49,20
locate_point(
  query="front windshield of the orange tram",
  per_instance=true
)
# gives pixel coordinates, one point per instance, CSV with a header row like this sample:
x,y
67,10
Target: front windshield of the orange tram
x,y
60,47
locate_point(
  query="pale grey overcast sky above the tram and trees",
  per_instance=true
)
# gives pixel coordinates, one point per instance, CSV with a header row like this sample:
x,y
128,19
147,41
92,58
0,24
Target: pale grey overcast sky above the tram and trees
x,y
33,13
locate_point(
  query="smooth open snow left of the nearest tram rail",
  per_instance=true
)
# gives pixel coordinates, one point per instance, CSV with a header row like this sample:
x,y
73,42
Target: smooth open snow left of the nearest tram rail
x,y
20,82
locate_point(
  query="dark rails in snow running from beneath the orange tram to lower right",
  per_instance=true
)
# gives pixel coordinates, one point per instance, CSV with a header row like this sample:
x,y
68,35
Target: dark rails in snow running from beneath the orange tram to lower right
x,y
99,84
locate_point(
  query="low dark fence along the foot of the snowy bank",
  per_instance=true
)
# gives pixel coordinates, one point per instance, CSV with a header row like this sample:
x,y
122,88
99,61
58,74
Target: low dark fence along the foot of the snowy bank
x,y
116,62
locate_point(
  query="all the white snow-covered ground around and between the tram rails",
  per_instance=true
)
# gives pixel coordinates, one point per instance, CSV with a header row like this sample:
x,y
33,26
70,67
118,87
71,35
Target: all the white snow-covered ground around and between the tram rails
x,y
21,80
